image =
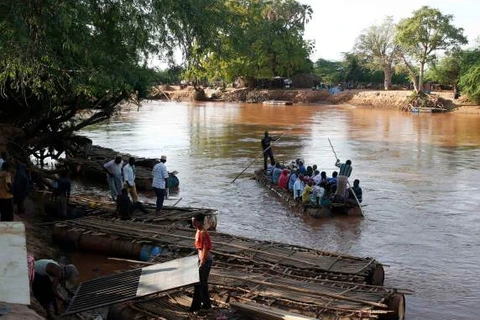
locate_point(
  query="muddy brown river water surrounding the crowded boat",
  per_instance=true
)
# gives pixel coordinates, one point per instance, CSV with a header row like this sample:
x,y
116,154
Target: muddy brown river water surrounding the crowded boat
x,y
419,175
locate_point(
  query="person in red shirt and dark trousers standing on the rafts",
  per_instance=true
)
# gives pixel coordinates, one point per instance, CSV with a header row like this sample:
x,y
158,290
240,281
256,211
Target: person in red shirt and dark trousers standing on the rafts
x,y
201,297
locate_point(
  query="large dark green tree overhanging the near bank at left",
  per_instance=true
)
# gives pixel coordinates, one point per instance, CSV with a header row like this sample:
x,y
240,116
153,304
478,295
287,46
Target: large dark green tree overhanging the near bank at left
x,y
66,64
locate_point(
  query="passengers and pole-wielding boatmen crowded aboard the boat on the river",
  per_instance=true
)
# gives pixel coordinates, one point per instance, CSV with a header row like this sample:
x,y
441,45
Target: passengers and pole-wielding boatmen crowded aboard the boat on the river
x,y
307,184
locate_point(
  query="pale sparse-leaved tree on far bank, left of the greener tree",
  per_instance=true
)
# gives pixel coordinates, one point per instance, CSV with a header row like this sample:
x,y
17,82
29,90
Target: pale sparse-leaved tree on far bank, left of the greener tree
x,y
377,47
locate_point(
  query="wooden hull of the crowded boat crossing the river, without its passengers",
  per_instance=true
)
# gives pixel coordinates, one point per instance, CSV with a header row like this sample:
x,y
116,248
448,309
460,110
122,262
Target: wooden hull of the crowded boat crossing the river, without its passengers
x,y
329,209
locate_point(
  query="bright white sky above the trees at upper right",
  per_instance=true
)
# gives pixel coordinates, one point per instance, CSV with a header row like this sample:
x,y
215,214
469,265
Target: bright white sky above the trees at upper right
x,y
335,25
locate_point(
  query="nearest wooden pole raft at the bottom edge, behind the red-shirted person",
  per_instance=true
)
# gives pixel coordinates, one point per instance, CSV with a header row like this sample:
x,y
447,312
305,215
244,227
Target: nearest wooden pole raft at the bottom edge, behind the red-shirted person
x,y
261,294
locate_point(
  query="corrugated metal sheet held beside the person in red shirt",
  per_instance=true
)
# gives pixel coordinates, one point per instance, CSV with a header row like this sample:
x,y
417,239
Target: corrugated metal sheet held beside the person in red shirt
x,y
133,284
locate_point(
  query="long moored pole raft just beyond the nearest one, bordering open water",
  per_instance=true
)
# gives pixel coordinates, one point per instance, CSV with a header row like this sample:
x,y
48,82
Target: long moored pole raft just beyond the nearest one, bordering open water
x,y
126,238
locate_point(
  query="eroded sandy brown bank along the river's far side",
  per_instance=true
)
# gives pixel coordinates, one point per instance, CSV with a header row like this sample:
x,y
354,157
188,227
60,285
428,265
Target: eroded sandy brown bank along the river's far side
x,y
395,99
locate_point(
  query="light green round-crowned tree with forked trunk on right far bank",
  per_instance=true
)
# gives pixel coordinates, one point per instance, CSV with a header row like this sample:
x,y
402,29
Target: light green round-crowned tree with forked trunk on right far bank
x,y
427,31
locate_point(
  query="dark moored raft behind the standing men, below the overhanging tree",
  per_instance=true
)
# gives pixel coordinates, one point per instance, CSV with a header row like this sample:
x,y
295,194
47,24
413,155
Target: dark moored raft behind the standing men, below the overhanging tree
x,y
91,168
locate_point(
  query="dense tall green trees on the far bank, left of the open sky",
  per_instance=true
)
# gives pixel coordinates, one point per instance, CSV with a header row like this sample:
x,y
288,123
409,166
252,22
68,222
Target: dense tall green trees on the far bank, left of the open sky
x,y
260,40
